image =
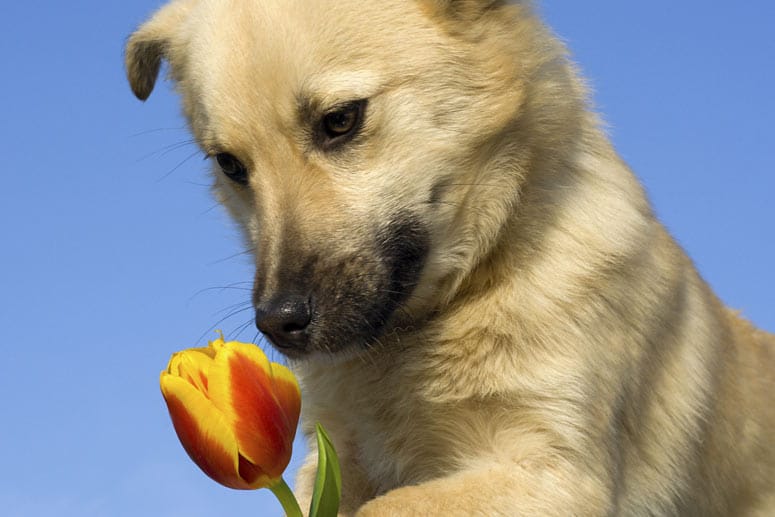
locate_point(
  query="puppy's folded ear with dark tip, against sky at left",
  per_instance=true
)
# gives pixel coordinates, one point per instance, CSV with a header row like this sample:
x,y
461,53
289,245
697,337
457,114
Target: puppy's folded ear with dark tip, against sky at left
x,y
152,43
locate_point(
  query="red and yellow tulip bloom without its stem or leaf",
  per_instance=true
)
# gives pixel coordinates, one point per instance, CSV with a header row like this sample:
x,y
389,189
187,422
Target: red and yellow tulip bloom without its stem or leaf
x,y
234,412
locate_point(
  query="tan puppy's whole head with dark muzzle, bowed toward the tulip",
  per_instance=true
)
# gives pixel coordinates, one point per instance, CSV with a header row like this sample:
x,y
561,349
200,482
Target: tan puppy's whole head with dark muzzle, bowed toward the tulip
x,y
353,141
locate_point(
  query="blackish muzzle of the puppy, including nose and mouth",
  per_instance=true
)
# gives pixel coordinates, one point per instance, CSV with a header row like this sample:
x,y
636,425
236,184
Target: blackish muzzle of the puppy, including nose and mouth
x,y
334,306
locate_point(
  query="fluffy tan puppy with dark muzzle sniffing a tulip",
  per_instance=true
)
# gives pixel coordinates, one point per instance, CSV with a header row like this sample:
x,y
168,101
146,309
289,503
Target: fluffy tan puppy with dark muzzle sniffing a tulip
x,y
468,281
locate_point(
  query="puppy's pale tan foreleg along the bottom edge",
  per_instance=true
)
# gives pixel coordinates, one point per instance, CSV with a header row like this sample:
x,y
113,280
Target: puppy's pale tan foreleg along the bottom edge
x,y
552,489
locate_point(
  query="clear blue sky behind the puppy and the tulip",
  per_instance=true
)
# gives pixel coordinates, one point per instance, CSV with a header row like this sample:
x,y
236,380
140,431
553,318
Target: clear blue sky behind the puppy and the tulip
x,y
115,255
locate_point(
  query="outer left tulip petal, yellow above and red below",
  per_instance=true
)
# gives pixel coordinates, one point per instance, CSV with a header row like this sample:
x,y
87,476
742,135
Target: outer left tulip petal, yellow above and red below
x,y
204,434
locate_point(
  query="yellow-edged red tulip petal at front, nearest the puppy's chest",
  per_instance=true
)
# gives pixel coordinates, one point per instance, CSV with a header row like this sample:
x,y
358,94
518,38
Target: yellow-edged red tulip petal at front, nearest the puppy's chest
x,y
241,388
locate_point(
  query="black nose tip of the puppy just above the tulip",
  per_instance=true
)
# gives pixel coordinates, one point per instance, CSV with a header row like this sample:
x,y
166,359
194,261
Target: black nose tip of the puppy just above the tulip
x,y
285,320
